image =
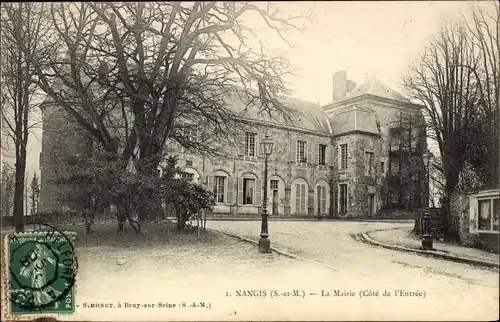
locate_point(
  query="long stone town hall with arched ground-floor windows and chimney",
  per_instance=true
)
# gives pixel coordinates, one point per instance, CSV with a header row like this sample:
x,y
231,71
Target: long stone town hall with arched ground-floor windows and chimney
x,y
327,160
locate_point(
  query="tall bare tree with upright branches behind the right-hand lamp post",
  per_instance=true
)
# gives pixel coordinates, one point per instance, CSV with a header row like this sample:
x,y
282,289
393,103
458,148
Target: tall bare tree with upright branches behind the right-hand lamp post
x,y
444,81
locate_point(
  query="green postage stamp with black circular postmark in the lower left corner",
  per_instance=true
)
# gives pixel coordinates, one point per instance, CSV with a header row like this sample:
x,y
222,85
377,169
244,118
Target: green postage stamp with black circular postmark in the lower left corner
x,y
42,270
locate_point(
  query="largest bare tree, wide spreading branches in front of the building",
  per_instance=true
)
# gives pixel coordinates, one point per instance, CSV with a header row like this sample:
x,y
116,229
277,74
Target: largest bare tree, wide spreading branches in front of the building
x,y
139,75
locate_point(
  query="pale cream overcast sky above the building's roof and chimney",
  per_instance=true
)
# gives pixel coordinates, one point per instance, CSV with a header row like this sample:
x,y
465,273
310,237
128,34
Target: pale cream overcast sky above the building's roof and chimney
x,y
364,39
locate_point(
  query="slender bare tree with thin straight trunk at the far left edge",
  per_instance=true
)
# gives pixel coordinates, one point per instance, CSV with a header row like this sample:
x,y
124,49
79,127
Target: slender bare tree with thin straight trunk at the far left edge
x,y
23,26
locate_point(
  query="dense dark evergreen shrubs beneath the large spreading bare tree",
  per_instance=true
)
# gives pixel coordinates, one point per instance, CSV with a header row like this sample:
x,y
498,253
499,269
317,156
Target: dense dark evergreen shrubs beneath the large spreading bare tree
x,y
102,181
